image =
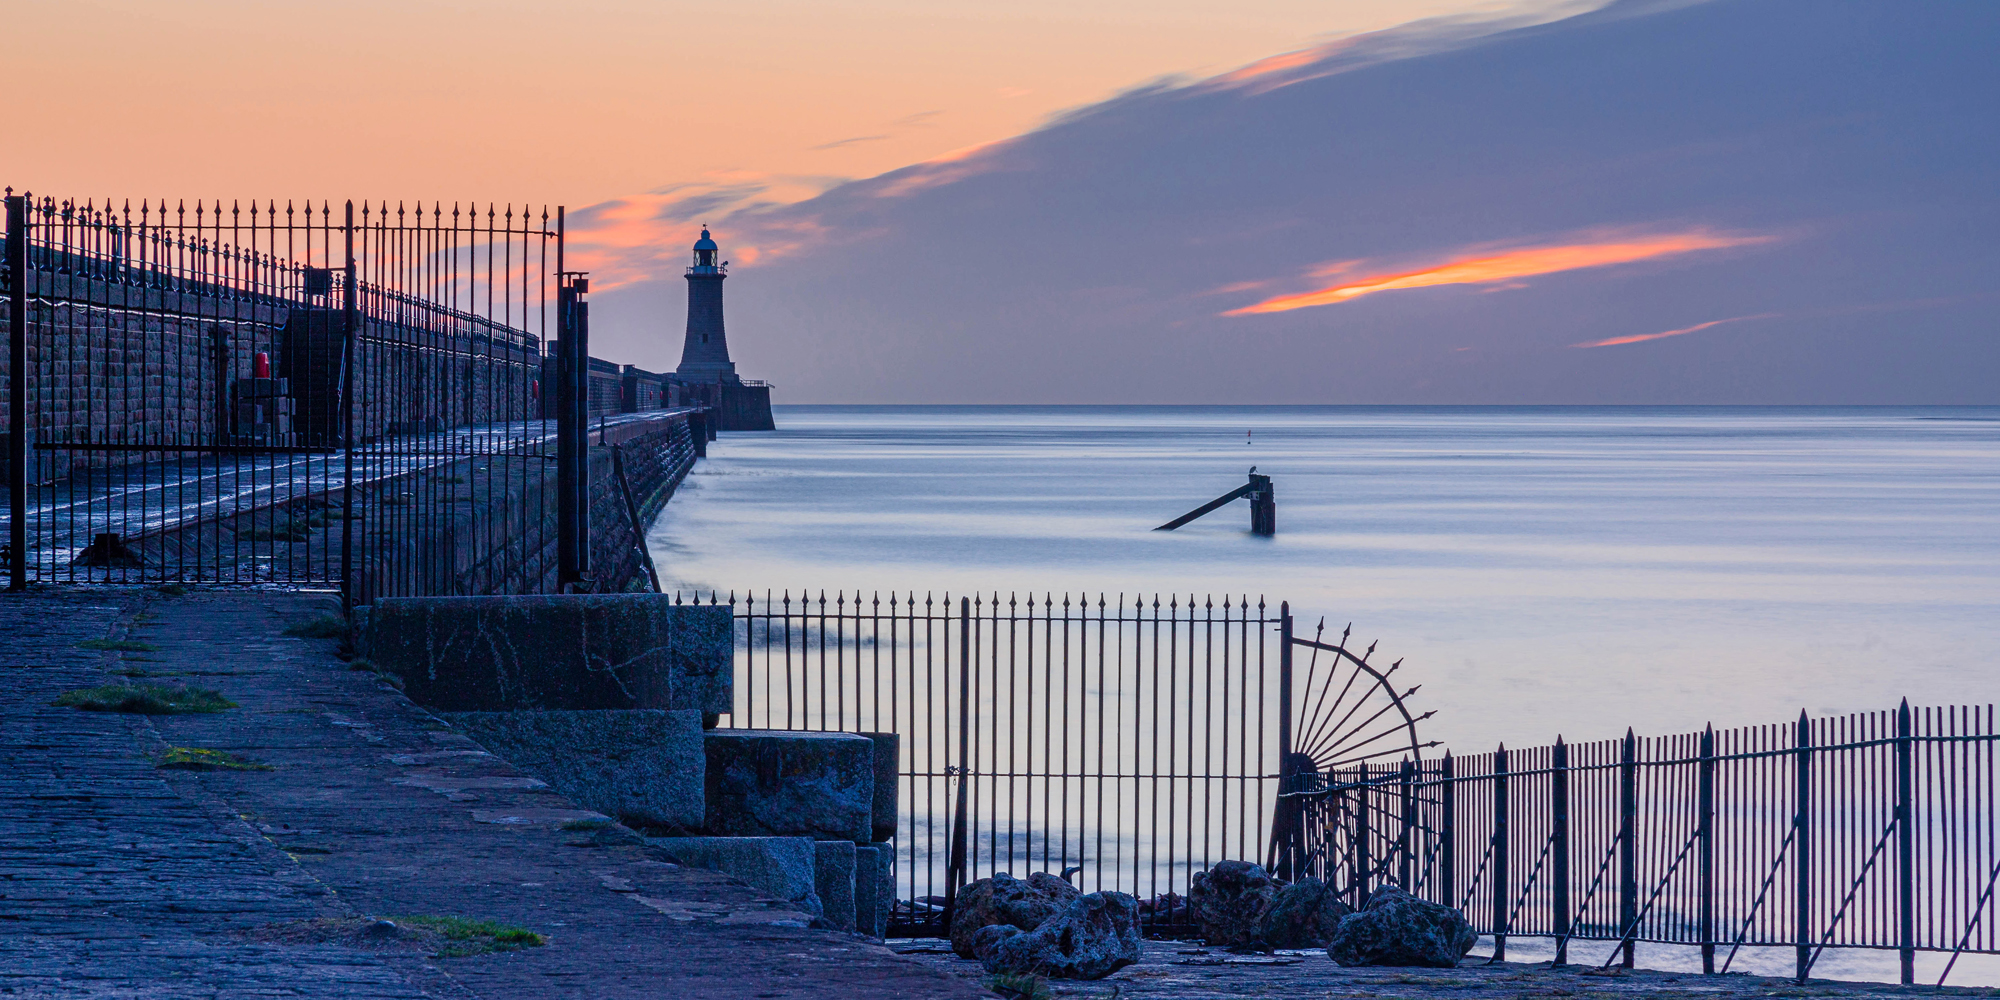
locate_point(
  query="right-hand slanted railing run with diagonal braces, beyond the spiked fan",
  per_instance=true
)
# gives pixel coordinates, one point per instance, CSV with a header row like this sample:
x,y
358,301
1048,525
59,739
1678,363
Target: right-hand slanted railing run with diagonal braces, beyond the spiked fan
x,y
1869,831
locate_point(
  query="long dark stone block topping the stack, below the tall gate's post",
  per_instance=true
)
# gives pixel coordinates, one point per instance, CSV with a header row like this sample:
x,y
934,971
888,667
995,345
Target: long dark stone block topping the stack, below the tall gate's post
x,y
555,653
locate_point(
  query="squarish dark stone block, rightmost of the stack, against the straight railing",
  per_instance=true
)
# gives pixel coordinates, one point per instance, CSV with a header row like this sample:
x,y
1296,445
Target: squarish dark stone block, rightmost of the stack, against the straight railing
x,y
775,783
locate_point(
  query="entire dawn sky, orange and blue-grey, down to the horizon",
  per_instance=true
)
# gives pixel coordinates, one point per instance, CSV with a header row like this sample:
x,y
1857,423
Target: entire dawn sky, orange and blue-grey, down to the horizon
x,y
1421,203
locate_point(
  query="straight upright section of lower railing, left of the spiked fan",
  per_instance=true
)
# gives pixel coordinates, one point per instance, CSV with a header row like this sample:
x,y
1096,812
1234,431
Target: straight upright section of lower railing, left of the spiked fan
x,y
1131,741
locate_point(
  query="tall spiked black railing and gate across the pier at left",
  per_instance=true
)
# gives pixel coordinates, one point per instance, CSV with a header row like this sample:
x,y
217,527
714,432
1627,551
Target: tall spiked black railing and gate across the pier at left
x,y
349,397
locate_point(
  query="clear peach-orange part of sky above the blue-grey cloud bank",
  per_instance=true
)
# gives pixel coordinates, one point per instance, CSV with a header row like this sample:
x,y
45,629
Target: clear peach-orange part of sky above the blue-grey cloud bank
x,y
591,101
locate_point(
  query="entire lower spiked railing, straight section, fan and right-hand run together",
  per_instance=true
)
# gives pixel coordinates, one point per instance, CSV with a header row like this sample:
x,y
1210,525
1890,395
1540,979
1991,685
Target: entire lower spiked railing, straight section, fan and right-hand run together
x,y
1139,741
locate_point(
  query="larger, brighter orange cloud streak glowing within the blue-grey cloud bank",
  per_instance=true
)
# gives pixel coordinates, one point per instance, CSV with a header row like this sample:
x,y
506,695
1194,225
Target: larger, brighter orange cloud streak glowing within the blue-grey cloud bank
x,y
1511,267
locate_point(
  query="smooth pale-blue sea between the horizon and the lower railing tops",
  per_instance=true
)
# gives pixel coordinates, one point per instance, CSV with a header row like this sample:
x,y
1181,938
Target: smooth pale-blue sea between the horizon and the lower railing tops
x,y
1539,569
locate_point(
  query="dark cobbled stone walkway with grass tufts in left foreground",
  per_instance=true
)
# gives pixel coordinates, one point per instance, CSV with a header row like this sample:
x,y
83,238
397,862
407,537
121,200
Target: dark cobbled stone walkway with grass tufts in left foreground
x,y
123,879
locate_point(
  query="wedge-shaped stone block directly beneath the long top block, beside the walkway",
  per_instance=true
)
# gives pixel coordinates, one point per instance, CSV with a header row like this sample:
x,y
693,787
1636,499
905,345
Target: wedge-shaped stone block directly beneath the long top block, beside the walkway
x,y
643,767
